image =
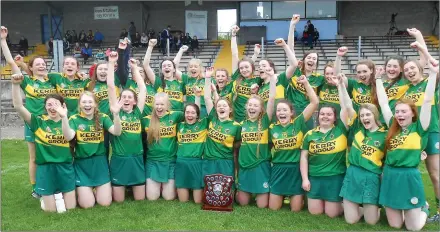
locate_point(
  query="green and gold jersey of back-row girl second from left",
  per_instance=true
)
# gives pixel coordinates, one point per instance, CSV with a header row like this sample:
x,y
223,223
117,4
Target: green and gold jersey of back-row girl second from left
x,y
70,90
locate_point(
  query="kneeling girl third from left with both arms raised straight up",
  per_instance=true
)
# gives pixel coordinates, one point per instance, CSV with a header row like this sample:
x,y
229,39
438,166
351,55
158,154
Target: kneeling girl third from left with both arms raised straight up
x,y
127,164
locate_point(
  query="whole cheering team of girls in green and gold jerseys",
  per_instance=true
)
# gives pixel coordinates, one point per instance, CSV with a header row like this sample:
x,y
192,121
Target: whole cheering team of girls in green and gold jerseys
x,y
168,130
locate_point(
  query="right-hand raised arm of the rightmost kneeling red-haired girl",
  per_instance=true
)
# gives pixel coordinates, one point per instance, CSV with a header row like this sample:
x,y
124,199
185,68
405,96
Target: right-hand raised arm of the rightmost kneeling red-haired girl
x,y
425,110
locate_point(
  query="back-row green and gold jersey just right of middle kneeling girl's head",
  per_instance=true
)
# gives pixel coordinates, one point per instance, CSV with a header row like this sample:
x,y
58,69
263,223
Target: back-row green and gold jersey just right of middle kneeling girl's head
x,y
242,92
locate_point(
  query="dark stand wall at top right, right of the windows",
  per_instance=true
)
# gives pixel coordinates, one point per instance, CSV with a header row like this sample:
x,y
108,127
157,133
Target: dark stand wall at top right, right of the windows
x,y
372,18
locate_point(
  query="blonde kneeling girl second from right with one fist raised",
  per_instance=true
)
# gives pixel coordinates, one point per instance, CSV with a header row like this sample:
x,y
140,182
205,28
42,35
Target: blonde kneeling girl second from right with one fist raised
x,y
362,180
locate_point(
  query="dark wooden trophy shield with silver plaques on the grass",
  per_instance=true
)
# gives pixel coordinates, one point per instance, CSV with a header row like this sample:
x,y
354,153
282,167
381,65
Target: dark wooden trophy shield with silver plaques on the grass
x,y
218,194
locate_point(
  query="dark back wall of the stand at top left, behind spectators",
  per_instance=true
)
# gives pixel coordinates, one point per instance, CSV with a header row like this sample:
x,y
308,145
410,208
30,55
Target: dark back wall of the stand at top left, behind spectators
x,y
23,18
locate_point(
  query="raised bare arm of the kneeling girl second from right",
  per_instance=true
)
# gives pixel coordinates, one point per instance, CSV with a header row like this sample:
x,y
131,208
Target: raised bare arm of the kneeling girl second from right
x,y
347,110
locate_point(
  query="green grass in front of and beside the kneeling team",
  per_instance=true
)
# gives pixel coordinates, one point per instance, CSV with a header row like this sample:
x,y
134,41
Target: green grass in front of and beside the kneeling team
x,y
22,212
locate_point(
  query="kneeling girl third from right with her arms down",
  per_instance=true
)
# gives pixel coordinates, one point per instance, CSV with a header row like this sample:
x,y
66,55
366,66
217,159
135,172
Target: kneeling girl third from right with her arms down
x,y
322,163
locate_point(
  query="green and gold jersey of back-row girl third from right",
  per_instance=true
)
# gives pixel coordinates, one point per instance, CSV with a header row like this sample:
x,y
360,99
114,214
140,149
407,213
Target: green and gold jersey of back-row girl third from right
x,y
359,92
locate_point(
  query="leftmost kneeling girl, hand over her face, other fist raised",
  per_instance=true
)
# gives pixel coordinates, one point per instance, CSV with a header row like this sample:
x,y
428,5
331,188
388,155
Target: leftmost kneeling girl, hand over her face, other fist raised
x,y
54,172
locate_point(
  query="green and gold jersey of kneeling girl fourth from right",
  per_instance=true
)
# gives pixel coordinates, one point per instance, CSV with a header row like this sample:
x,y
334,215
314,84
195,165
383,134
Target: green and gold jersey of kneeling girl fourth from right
x,y
287,140
